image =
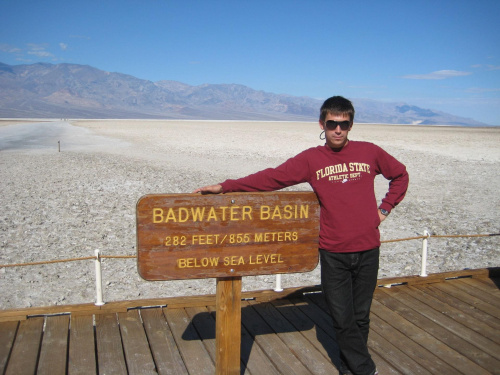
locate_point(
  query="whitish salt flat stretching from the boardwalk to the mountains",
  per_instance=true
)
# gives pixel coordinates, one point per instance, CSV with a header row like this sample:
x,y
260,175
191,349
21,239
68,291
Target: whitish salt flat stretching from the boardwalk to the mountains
x,y
58,205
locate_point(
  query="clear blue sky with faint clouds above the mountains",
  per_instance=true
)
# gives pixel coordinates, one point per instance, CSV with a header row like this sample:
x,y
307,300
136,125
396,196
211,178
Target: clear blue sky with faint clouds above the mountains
x,y
439,54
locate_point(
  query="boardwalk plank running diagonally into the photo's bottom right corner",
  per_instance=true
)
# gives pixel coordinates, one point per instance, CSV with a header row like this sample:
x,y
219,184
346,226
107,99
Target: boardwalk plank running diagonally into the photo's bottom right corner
x,y
411,313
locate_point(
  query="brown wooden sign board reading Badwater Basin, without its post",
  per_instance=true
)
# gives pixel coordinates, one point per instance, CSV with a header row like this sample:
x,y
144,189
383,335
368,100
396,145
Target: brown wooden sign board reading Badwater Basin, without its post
x,y
188,236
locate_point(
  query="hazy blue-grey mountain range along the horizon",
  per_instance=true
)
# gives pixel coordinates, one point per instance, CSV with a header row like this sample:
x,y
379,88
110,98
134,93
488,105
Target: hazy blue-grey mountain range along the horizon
x,y
81,91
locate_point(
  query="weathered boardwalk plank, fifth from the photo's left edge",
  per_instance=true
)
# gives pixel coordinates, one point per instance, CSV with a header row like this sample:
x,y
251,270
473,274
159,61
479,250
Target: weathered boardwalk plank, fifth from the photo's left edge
x,y
109,345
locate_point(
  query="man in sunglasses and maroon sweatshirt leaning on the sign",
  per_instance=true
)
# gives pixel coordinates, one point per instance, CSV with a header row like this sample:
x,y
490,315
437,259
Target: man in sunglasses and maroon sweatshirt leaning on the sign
x,y
342,174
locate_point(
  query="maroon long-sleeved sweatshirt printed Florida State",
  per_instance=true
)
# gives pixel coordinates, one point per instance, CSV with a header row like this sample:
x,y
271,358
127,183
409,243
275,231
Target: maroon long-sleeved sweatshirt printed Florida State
x,y
344,183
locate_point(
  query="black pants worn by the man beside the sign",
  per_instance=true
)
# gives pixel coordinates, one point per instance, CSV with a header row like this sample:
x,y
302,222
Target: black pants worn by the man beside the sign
x,y
348,281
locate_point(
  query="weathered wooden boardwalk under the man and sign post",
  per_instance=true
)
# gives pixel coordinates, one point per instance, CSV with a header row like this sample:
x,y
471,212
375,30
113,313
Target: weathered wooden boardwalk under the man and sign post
x,y
443,324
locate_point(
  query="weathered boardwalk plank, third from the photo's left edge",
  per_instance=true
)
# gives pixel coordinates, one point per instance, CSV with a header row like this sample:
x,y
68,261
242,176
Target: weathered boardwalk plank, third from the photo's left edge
x,y
54,351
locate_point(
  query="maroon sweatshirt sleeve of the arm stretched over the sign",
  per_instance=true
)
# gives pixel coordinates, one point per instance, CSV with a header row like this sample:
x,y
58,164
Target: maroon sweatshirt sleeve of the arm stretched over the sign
x,y
292,172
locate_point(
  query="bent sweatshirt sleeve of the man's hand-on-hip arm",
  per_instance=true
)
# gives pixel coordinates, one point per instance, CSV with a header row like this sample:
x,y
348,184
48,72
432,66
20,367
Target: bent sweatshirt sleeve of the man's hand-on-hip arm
x,y
398,177
